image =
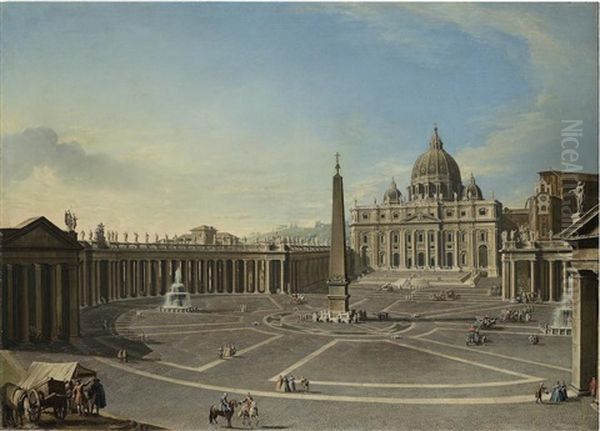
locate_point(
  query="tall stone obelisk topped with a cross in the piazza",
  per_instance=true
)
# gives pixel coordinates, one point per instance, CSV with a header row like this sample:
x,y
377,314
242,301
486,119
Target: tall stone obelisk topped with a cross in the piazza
x,y
338,281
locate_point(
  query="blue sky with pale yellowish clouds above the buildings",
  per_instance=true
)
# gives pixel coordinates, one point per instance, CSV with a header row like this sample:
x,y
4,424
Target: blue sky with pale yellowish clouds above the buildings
x,y
159,117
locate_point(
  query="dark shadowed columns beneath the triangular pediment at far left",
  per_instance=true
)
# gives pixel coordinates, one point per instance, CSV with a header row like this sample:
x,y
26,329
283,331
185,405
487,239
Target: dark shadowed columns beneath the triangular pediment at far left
x,y
44,300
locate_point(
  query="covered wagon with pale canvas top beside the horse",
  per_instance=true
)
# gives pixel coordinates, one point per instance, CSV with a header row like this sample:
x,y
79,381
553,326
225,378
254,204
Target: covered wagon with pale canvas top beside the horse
x,y
45,384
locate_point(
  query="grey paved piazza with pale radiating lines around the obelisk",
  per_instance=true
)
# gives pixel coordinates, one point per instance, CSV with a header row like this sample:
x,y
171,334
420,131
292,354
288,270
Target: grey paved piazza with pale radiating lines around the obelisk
x,y
411,372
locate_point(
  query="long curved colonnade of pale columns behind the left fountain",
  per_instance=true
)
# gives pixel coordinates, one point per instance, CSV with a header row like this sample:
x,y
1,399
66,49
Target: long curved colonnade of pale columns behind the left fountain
x,y
103,279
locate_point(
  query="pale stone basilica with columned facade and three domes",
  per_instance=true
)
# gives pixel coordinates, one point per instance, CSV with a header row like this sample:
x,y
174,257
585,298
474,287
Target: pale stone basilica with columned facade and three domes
x,y
440,224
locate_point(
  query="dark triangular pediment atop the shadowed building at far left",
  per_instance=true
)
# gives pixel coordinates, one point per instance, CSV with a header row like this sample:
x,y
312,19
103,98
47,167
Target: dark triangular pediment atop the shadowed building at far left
x,y
39,234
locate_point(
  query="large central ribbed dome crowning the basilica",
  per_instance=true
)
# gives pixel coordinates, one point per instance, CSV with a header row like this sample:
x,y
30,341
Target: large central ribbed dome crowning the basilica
x,y
437,169
